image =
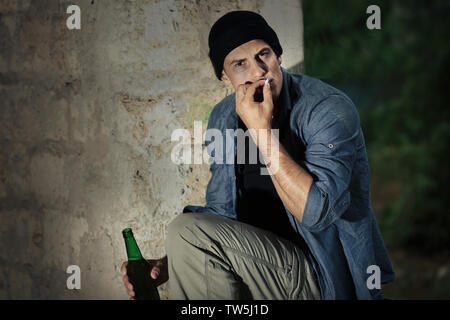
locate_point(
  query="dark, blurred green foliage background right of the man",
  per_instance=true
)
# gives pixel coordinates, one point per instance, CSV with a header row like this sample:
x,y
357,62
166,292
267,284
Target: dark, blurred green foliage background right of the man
x,y
398,78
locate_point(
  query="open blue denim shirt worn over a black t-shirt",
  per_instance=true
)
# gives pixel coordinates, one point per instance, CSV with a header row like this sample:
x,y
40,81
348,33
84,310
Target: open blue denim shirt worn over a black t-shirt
x,y
338,223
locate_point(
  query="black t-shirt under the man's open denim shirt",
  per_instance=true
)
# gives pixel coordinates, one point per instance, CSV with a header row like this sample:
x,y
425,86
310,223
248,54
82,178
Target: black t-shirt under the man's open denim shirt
x,y
260,204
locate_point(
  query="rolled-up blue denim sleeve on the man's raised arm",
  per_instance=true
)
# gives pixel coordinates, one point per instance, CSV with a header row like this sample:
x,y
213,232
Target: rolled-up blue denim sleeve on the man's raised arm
x,y
331,131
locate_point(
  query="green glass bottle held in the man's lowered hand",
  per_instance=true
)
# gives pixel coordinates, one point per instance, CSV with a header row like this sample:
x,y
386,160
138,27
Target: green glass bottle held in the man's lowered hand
x,y
138,270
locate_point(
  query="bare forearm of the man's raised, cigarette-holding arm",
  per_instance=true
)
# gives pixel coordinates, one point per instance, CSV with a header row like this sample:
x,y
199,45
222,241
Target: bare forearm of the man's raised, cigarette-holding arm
x,y
291,181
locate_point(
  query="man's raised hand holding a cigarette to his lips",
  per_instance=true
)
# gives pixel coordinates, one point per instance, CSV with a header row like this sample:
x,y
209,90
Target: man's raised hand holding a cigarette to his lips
x,y
255,115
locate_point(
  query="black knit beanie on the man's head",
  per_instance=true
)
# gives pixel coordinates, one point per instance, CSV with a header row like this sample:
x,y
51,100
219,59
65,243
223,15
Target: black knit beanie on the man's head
x,y
236,28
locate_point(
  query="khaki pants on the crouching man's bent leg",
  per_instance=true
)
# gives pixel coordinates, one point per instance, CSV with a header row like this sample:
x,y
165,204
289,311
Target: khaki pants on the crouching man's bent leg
x,y
211,257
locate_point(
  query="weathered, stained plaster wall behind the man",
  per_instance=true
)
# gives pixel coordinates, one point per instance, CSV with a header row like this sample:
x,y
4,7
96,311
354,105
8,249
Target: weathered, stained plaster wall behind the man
x,y
86,118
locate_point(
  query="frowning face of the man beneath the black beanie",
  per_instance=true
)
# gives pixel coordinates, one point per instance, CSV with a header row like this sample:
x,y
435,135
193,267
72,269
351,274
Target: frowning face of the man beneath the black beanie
x,y
250,62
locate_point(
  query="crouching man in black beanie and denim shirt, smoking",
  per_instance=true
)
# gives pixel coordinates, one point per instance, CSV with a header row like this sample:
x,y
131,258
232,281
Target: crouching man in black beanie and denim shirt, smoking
x,y
307,230
